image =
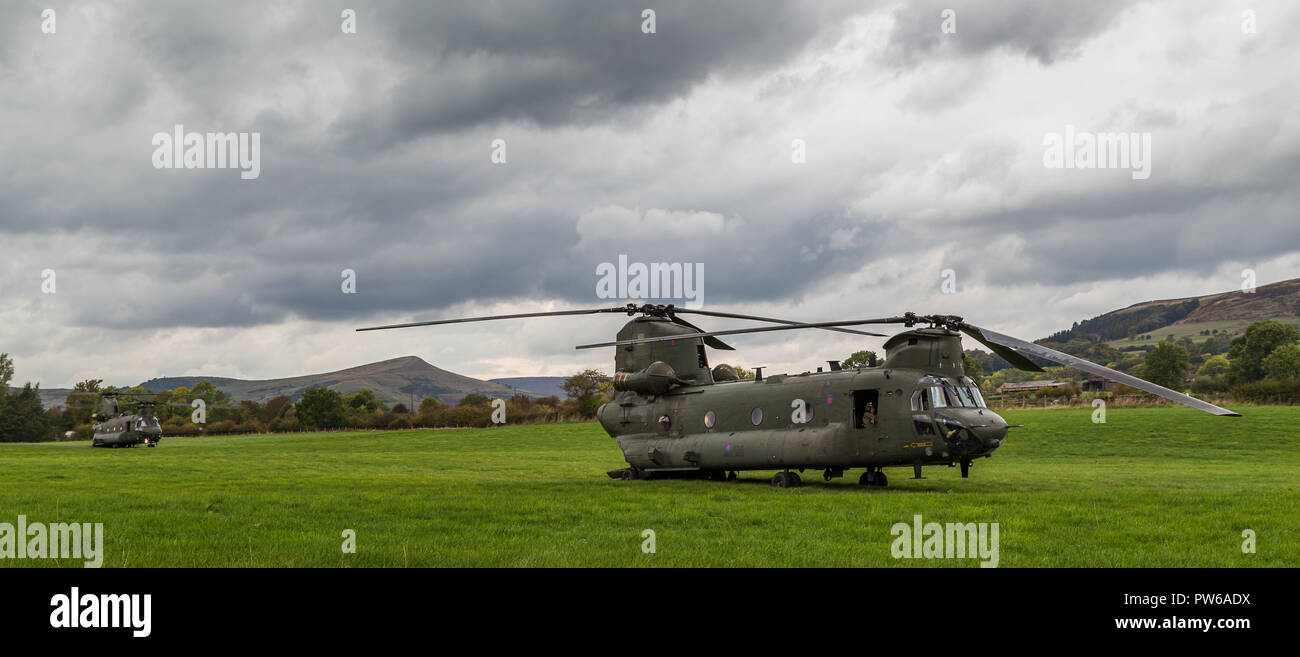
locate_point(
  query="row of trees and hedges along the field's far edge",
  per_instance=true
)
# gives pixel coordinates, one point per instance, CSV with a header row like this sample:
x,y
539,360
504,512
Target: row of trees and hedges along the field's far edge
x,y
1260,366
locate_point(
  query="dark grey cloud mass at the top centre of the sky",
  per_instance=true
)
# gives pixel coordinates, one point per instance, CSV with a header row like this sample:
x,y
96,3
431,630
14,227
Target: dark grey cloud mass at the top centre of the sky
x,y
569,63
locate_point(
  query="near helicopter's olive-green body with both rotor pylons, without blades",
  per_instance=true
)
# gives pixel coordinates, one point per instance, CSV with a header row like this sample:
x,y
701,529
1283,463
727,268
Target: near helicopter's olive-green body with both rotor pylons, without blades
x,y
673,414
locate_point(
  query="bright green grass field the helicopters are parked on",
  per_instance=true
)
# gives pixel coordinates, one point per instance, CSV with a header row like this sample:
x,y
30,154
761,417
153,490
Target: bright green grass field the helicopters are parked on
x,y
1152,487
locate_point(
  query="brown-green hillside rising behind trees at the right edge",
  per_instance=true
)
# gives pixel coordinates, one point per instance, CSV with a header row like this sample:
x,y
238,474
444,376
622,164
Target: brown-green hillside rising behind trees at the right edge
x,y
1191,317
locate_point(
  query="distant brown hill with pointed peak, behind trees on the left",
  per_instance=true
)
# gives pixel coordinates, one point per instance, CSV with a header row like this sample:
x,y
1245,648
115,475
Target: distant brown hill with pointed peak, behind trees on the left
x,y
397,381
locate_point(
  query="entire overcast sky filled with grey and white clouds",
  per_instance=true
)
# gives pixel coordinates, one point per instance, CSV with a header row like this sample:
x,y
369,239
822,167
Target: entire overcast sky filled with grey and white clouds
x,y
924,140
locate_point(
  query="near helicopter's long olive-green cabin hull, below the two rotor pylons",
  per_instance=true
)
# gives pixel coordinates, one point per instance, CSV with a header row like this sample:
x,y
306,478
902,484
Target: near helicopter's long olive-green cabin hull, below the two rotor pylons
x,y
822,421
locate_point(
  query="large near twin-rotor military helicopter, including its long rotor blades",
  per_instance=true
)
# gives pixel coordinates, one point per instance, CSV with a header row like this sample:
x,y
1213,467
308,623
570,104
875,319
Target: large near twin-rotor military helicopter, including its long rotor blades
x,y
673,416
